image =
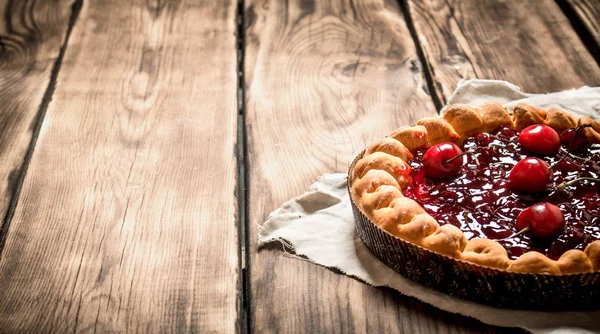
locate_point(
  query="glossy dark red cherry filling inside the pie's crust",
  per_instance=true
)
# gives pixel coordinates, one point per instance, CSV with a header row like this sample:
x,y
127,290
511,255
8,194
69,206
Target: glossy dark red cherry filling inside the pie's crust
x,y
479,201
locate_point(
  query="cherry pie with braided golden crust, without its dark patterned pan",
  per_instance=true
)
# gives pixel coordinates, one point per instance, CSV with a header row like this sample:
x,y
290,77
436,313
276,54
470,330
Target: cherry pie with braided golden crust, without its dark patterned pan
x,y
518,193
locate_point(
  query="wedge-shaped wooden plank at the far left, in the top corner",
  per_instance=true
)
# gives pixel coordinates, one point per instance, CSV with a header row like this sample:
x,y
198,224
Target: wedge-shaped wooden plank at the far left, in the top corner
x,y
31,35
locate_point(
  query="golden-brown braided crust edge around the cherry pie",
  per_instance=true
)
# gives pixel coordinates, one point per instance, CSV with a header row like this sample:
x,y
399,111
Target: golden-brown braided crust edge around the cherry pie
x,y
378,177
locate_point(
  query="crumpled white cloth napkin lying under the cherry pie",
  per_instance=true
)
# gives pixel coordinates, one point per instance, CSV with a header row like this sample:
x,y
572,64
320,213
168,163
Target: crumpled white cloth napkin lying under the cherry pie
x,y
319,224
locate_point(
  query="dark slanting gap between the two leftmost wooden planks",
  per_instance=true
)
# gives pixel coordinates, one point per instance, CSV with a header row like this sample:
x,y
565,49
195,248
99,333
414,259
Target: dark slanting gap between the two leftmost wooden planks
x,y
37,126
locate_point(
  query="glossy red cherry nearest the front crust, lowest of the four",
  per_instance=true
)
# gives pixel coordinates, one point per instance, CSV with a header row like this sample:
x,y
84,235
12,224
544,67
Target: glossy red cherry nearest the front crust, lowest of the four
x,y
545,220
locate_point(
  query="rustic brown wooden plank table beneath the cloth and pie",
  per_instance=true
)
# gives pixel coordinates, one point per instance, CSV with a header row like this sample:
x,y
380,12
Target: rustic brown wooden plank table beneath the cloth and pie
x,y
143,141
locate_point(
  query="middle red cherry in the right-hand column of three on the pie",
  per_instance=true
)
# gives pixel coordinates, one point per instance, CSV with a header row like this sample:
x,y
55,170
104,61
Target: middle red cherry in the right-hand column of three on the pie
x,y
530,175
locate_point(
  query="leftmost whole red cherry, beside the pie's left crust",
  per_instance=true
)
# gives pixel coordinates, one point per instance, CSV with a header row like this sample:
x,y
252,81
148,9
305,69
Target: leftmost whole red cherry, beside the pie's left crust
x,y
437,163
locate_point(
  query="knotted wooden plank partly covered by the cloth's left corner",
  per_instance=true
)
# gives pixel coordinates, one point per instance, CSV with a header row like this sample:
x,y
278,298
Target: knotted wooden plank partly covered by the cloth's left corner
x,y
324,79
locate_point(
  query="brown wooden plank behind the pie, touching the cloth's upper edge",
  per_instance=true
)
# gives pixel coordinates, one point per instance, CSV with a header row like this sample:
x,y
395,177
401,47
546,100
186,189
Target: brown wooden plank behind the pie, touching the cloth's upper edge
x,y
529,43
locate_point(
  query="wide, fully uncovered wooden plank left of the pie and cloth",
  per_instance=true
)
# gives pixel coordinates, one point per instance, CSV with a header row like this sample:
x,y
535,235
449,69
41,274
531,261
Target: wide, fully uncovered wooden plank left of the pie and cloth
x,y
126,220
